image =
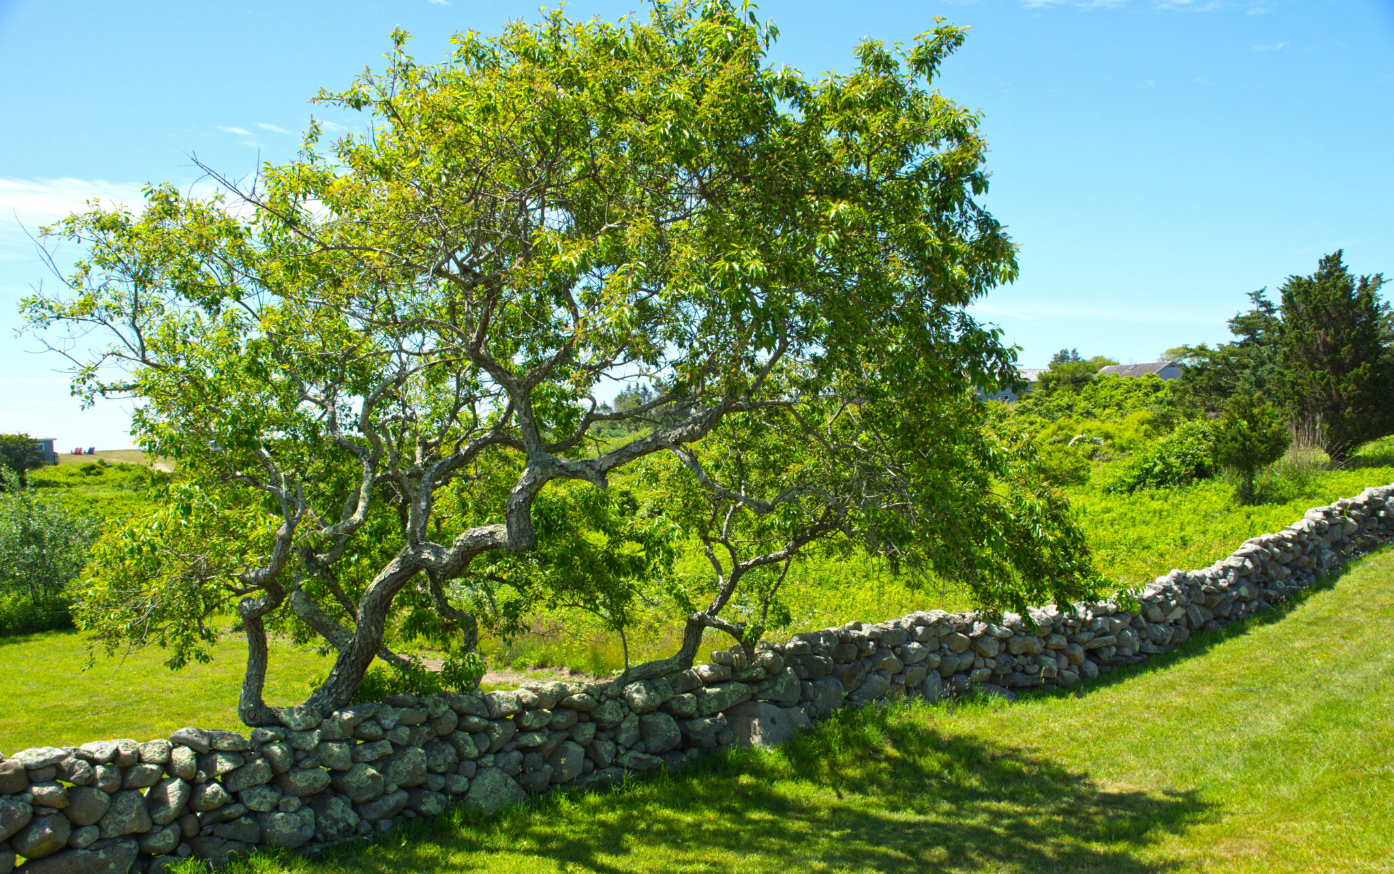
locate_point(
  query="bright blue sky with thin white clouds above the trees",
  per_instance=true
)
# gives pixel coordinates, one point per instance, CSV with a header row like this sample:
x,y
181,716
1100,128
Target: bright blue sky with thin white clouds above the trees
x,y
1155,161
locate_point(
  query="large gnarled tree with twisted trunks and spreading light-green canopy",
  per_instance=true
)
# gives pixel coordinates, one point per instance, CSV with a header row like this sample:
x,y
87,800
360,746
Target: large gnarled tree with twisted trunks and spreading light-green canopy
x,y
378,376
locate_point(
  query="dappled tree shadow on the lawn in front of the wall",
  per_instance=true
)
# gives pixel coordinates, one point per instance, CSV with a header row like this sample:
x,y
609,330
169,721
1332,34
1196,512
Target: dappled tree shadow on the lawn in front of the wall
x,y
869,791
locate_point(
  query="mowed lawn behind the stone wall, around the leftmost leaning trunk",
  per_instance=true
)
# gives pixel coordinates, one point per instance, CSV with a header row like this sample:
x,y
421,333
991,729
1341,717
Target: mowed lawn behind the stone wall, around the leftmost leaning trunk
x,y
48,699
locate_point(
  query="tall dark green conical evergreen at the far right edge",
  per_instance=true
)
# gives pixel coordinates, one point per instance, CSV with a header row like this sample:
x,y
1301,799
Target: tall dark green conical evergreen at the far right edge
x,y
1339,355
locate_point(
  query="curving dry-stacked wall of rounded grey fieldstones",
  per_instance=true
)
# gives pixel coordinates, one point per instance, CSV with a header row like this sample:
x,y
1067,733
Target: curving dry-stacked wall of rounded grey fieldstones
x,y
121,806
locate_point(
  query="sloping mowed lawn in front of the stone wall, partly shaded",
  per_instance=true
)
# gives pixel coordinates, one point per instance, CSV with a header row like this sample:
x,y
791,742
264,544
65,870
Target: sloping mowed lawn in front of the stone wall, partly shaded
x,y
1264,748
